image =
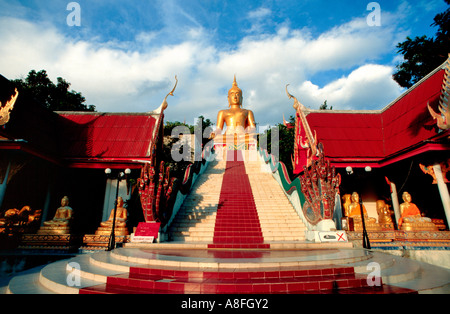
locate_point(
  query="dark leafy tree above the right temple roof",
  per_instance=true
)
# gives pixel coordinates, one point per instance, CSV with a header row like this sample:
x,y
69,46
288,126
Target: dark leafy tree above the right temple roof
x,y
422,54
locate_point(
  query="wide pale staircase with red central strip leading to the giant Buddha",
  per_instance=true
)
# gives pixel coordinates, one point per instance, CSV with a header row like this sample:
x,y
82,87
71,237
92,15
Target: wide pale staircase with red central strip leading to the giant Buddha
x,y
237,205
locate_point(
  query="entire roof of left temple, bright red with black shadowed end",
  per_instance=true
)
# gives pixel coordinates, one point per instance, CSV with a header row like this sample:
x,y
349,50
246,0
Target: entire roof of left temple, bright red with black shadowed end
x,y
78,139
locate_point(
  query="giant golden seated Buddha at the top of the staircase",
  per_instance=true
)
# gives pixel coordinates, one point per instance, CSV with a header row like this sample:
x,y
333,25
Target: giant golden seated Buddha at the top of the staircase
x,y
239,121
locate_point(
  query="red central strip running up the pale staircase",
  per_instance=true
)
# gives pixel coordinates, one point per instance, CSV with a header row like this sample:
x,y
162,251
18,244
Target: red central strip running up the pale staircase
x,y
237,223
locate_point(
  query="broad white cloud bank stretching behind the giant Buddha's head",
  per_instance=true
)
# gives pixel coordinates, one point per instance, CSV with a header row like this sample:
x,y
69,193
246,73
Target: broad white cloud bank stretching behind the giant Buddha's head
x,y
137,79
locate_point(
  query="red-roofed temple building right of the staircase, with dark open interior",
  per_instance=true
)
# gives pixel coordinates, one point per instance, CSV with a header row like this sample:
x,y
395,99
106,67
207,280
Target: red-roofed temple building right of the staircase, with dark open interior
x,y
381,154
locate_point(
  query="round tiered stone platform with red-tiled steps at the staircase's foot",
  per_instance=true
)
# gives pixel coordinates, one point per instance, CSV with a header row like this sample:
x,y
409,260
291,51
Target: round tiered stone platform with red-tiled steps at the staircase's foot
x,y
171,270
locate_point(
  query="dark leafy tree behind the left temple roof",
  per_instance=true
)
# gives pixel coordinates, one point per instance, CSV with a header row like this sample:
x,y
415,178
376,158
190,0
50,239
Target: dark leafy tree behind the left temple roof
x,y
56,97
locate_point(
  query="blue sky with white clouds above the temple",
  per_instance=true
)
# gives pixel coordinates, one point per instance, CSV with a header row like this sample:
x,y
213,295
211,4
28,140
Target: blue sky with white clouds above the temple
x,y
125,54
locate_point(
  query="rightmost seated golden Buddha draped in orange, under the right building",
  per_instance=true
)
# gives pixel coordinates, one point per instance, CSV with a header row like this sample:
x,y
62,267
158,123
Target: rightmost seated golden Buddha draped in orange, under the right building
x,y
411,218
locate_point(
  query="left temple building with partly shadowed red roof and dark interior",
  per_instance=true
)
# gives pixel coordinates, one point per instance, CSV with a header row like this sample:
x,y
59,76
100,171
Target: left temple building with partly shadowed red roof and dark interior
x,y
46,155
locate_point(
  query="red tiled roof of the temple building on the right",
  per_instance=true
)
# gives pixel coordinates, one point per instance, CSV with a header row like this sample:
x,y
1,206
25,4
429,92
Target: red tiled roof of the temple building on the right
x,y
381,136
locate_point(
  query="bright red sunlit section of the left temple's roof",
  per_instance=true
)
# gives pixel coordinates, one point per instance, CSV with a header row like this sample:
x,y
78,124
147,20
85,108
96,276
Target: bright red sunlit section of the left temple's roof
x,y
100,137
